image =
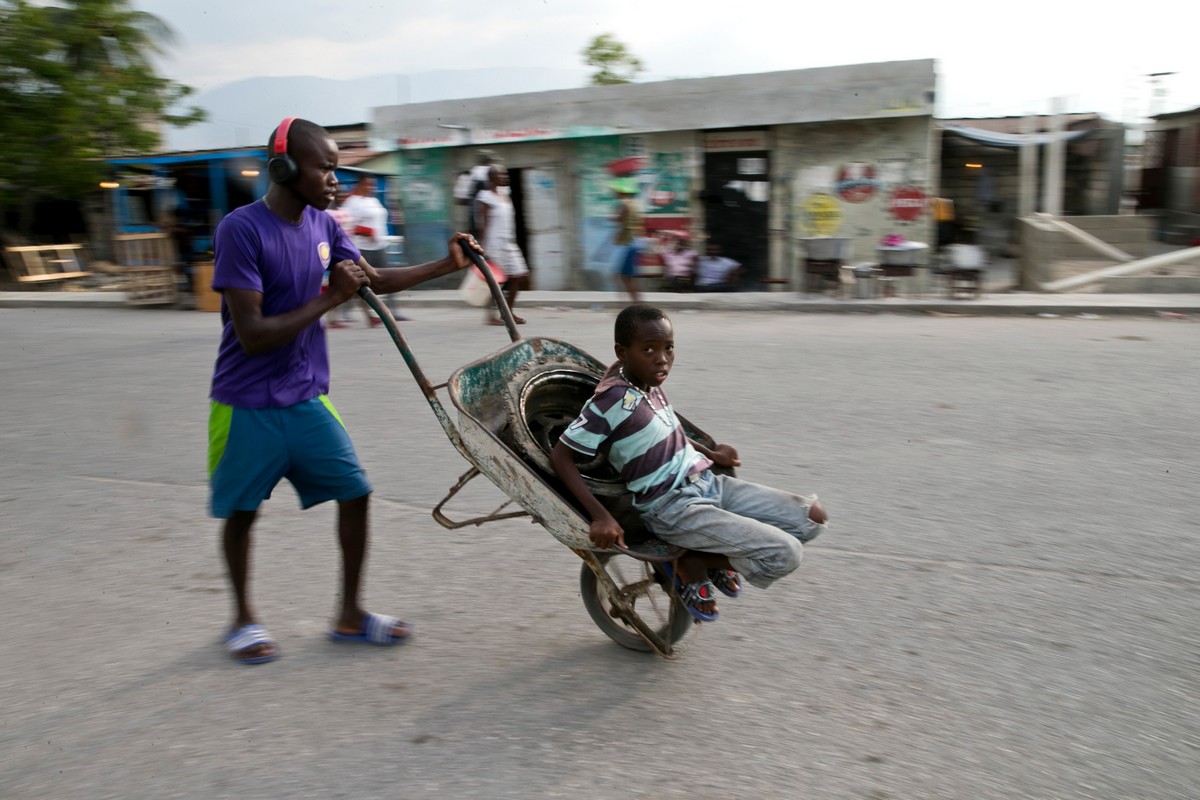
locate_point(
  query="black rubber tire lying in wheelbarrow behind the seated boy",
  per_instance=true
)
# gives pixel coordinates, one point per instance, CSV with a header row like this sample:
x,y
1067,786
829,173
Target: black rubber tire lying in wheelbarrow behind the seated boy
x,y
518,434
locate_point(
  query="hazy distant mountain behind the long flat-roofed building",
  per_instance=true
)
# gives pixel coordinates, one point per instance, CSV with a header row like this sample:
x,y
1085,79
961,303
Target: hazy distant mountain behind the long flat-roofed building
x,y
243,113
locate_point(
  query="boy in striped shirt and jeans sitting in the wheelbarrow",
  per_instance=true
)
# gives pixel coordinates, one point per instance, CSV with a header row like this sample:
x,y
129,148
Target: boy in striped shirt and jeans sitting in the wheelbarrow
x,y
728,526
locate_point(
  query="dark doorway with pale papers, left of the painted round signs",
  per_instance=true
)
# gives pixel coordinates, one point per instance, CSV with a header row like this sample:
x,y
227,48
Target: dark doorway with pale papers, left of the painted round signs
x,y
737,194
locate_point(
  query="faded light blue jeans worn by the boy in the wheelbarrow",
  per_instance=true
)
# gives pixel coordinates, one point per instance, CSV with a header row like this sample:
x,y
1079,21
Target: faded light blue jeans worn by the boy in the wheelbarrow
x,y
759,528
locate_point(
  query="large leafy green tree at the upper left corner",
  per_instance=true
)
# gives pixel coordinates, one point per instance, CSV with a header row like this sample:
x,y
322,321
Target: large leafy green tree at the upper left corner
x,y
79,85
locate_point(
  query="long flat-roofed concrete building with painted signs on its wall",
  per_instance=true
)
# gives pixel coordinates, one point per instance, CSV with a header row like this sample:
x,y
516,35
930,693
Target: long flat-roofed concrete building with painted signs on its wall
x,y
753,163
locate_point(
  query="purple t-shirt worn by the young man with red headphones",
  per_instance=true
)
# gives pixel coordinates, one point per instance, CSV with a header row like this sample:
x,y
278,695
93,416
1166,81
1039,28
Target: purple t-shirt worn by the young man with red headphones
x,y
259,251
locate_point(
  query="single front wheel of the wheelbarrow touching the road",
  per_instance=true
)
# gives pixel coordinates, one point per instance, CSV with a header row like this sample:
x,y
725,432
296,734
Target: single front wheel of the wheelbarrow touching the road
x,y
643,590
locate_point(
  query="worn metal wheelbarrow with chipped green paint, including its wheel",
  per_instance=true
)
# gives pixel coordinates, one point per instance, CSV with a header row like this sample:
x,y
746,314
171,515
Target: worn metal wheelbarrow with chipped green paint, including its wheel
x,y
508,411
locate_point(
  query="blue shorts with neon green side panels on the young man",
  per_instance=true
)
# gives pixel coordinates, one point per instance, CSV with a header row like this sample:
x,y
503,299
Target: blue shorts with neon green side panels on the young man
x,y
250,450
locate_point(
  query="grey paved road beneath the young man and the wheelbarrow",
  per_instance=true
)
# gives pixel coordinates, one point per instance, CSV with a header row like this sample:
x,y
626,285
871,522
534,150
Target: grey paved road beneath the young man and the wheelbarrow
x,y
1006,606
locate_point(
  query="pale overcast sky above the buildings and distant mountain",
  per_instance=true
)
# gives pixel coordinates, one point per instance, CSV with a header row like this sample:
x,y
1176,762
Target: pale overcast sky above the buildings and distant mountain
x,y
994,59
